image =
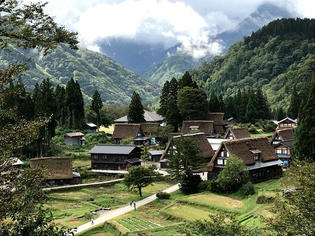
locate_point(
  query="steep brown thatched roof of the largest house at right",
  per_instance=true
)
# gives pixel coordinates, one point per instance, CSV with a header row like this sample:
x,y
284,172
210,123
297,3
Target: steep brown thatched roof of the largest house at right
x,y
245,149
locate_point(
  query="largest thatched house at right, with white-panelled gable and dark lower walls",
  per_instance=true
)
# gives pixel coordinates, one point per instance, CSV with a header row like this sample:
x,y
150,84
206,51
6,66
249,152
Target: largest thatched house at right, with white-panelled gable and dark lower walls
x,y
256,153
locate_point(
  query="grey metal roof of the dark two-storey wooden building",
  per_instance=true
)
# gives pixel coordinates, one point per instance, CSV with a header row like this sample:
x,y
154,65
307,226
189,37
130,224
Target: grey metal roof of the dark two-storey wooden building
x,y
112,149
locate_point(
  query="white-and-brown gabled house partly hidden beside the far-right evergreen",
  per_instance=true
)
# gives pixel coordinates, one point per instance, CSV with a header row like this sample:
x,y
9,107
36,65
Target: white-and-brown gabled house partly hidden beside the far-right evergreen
x,y
282,142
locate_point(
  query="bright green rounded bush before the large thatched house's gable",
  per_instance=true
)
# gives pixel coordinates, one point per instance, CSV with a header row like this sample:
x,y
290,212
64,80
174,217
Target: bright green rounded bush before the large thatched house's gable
x,y
233,176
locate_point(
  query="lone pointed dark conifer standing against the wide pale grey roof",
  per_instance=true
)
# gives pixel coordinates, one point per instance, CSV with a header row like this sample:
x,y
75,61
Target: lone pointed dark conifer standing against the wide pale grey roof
x,y
135,112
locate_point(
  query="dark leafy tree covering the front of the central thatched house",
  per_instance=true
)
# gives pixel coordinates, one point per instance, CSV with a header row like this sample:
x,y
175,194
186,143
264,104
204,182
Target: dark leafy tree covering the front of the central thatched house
x,y
186,159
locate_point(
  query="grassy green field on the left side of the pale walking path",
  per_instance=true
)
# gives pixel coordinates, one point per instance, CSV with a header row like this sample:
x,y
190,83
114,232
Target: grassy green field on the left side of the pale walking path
x,y
72,208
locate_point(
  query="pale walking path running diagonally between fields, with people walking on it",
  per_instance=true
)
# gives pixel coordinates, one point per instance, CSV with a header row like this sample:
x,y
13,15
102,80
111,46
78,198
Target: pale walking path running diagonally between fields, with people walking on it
x,y
121,211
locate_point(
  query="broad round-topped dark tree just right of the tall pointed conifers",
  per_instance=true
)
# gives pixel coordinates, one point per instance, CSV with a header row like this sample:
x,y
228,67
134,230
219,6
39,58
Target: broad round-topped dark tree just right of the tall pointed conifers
x,y
192,104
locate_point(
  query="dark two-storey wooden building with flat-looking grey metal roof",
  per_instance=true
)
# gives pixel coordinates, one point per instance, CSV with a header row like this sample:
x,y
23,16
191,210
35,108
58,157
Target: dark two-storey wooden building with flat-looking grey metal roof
x,y
114,157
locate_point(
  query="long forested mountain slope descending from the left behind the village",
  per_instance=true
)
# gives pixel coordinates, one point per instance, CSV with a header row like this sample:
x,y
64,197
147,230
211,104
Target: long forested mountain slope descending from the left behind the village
x,y
91,69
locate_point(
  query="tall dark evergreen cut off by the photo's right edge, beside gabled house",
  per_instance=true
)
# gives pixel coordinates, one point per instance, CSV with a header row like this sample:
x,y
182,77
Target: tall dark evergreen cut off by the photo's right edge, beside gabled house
x,y
304,136
